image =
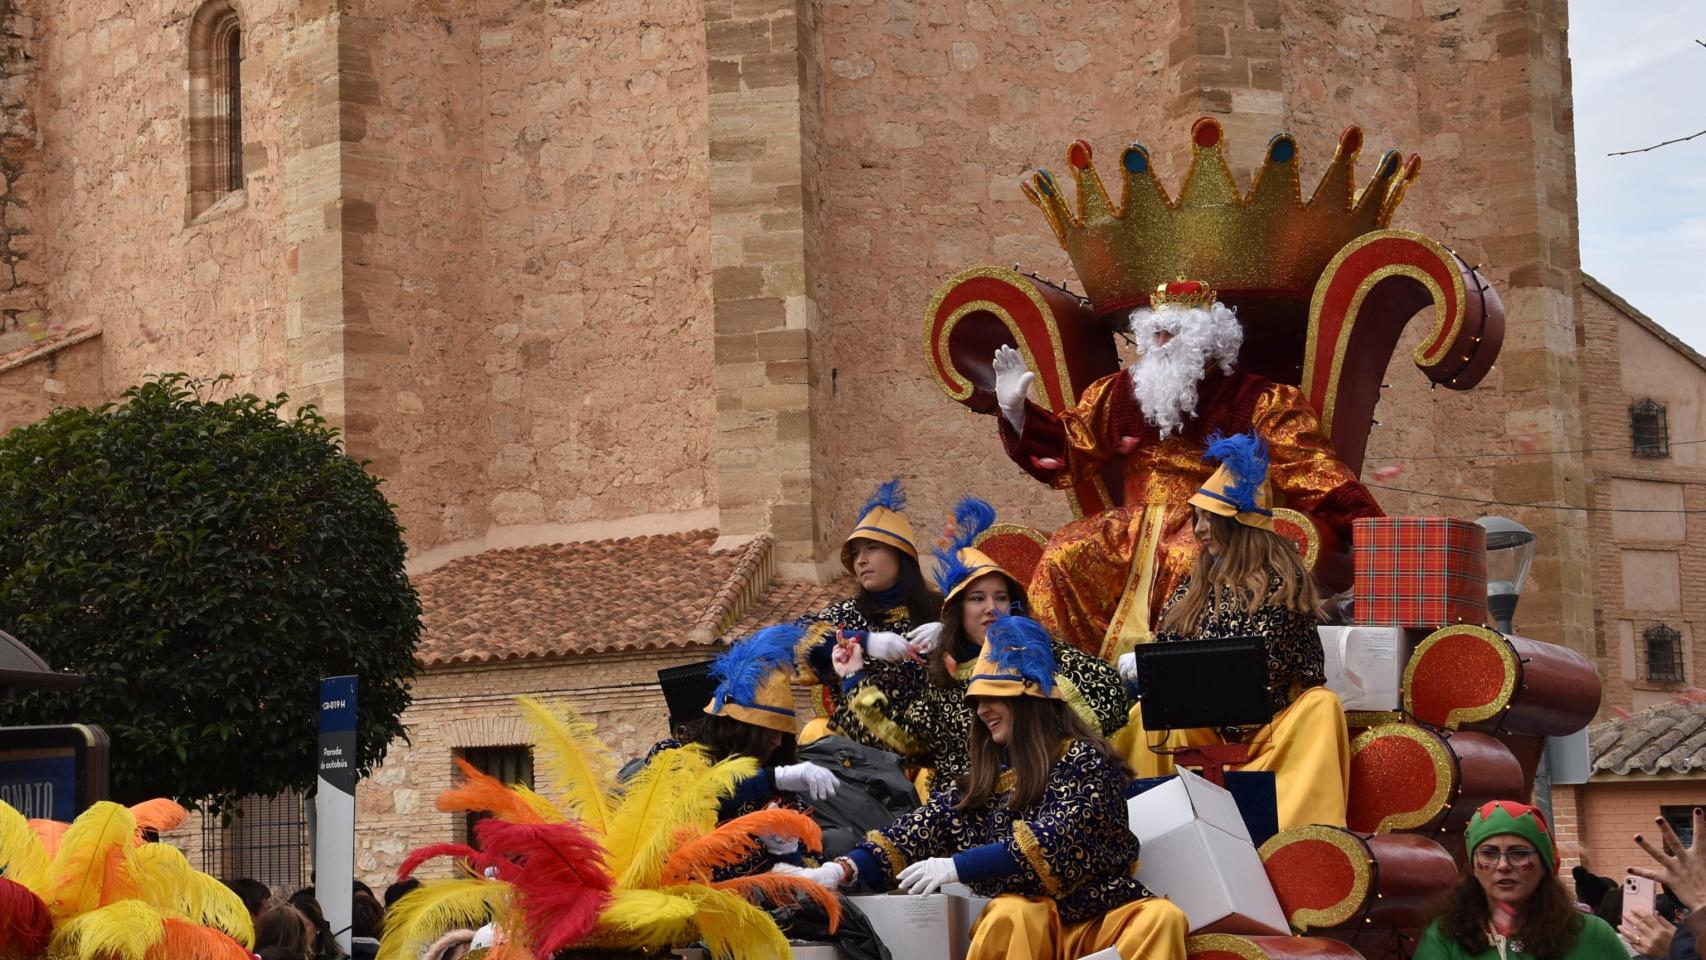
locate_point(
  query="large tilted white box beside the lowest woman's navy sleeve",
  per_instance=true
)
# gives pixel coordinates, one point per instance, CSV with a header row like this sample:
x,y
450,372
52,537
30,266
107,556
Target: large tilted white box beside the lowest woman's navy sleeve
x,y
1197,853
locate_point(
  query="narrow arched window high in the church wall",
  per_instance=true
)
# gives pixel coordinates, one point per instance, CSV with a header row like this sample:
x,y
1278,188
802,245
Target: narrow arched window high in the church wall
x,y
216,105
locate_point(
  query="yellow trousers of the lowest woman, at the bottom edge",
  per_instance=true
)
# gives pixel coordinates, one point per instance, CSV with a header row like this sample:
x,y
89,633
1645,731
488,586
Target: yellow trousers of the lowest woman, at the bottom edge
x,y
1023,928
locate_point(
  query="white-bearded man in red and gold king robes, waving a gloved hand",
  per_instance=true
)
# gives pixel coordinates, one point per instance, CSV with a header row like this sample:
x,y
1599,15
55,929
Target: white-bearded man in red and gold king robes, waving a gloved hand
x,y
1103,579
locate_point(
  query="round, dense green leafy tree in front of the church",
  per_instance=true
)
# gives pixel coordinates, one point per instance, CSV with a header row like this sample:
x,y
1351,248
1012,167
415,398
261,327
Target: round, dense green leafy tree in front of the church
x,y
204,565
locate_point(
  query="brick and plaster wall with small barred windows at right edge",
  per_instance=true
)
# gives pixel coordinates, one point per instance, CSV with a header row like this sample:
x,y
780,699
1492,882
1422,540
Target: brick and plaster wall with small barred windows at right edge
x,y
1647,570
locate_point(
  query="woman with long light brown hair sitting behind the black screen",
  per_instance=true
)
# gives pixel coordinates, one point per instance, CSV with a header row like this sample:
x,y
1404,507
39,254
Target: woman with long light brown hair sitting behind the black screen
x,y
1248,581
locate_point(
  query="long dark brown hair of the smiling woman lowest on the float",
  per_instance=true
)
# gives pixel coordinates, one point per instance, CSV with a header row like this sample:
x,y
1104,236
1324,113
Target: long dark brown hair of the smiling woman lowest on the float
x,y
1033,744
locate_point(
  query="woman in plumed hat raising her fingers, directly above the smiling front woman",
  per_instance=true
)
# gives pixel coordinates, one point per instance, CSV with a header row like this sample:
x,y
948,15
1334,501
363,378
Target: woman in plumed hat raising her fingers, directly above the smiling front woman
x,y
977,593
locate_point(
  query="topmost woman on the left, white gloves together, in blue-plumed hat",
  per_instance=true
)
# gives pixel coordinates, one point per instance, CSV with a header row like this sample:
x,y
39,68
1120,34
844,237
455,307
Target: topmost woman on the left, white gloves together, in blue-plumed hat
x,y
893,601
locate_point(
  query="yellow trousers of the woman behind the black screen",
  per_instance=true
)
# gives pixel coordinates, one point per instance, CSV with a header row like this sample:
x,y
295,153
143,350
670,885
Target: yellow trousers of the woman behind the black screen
x,y
1306,746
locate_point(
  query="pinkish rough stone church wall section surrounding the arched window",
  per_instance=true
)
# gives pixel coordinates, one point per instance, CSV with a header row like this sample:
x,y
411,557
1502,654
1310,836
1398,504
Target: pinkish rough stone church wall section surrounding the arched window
x,y
108,241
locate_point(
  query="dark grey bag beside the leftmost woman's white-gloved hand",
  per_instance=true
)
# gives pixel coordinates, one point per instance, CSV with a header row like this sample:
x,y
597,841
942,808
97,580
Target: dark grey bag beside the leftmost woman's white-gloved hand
x,y
874,792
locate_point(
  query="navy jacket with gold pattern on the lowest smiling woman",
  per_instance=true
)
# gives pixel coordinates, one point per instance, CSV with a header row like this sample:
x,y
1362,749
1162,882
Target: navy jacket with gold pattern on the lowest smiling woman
x,y
1072,845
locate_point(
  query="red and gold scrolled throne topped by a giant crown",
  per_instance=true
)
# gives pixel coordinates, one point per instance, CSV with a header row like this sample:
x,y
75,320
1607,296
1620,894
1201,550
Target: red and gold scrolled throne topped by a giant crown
x,y
1323,284
